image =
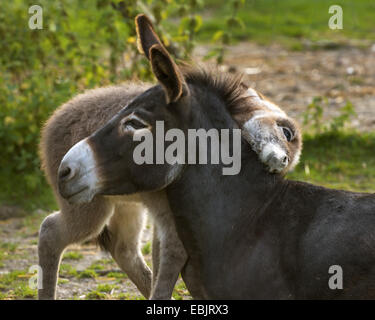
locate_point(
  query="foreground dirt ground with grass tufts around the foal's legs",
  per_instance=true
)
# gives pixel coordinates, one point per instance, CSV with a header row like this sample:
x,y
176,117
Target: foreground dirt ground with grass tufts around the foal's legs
x,y
86,272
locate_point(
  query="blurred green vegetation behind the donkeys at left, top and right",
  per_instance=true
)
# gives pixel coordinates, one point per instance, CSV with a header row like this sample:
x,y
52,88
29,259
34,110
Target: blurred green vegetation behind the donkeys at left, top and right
x,y
86,44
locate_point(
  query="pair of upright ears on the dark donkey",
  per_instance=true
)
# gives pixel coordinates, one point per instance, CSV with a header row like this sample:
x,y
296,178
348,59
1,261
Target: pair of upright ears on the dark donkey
x,y
163,66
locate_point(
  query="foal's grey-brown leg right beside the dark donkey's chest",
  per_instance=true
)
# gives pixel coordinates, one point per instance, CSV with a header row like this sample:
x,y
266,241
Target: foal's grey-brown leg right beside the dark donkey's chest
x,y
172,257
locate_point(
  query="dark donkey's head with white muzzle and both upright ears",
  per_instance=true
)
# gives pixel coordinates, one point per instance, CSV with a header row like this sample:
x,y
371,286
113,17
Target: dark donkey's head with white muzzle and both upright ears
x,y
103,162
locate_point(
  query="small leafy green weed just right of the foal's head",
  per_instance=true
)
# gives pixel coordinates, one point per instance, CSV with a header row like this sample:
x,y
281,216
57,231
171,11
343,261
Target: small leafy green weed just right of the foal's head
x,y
313,117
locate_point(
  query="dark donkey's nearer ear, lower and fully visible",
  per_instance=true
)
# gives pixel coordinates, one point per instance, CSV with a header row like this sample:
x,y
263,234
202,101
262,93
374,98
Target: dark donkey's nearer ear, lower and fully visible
x,y
167,72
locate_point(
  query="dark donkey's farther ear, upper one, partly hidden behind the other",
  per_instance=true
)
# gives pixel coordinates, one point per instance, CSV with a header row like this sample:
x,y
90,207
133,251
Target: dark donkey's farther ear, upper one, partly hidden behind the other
x,y
146,36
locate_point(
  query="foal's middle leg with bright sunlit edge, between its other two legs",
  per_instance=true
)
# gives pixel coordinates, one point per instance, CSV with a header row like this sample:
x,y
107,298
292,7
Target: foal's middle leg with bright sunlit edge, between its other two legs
x,y
125,228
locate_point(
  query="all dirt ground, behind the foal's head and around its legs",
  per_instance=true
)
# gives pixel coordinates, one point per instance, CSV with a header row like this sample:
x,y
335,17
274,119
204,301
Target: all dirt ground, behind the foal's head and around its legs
x,y
289,78
